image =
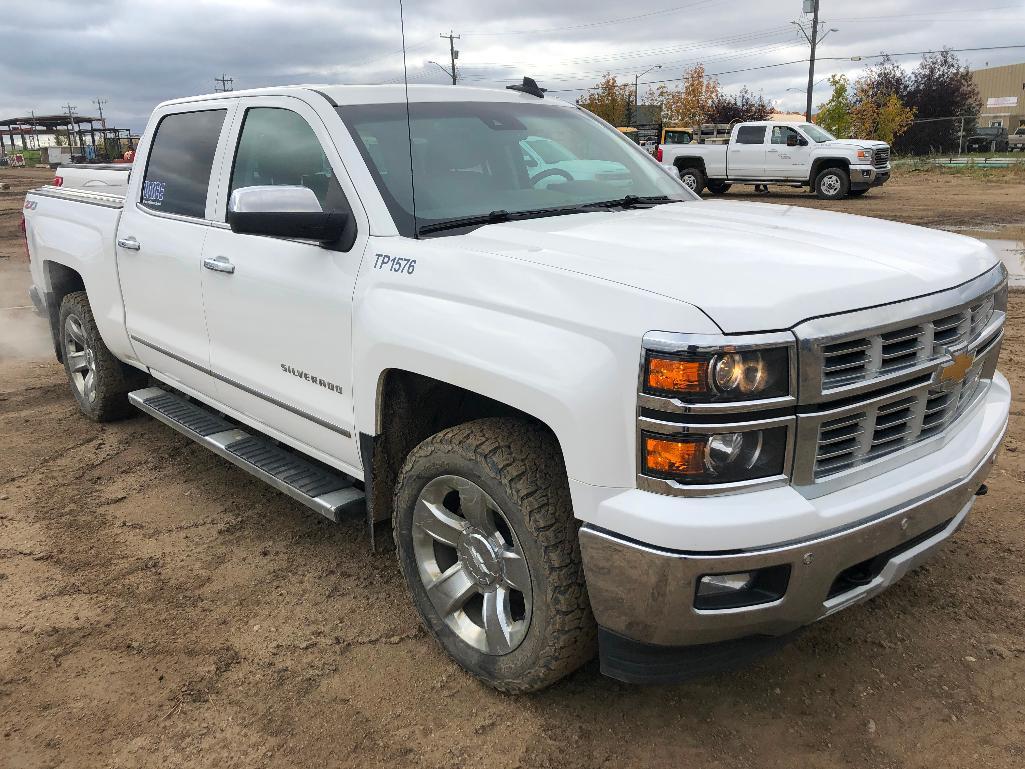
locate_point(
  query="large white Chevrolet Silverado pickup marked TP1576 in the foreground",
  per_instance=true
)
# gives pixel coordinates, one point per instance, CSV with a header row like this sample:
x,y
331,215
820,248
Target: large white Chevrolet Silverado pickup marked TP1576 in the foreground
x,y
597,416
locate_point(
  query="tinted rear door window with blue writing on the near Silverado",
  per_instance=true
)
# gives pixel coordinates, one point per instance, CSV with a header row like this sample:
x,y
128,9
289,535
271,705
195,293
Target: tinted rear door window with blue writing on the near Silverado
x,y
178,171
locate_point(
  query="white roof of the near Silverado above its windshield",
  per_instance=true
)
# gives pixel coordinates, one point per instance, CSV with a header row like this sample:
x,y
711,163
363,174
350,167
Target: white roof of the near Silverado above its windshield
x,y
363,95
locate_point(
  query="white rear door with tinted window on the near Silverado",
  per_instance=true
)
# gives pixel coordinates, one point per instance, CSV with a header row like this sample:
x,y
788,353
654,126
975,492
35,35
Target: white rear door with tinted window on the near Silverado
x,y
167,220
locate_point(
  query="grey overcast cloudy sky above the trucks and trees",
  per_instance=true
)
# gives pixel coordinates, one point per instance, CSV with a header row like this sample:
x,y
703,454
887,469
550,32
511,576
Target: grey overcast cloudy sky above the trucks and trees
x,y
136,54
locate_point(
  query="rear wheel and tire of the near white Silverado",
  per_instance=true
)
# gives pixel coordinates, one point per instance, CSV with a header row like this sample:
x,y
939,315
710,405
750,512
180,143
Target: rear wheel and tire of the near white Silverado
x,y
106,397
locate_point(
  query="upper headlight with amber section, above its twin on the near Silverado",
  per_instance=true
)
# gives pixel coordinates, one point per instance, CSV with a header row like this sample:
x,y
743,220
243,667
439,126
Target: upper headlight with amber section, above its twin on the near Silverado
x,y
728,376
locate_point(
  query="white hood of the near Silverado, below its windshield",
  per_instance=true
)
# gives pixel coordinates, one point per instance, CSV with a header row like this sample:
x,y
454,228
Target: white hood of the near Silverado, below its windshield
x,y
751,267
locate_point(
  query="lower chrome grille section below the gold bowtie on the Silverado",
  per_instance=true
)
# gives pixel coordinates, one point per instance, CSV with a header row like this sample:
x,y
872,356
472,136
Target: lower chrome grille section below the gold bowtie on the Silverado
x,y
896,423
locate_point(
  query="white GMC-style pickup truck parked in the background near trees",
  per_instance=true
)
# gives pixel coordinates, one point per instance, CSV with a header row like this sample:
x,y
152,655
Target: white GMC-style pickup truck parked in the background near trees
x,y
795,154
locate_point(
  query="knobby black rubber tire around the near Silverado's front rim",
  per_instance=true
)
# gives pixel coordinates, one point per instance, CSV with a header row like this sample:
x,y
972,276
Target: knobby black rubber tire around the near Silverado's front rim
x,y
520,466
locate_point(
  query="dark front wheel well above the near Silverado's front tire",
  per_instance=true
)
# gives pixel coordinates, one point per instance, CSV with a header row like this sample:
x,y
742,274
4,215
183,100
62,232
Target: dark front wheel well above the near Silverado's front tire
x,y
412,409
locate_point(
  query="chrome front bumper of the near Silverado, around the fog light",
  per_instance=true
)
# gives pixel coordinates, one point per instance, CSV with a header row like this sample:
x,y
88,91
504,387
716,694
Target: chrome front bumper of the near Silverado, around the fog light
x,y
647,595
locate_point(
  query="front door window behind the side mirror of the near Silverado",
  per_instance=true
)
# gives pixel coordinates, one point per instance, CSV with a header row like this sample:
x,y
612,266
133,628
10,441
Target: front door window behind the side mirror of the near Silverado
x,y
278,147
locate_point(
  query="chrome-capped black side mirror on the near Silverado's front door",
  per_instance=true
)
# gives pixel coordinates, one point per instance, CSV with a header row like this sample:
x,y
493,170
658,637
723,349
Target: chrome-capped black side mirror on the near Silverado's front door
x,y
286,212
